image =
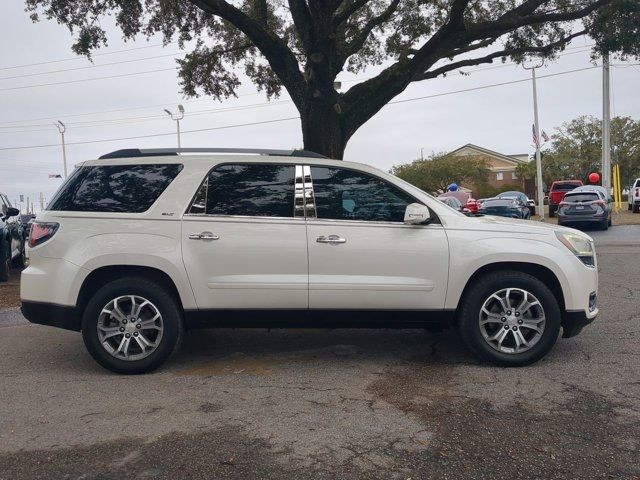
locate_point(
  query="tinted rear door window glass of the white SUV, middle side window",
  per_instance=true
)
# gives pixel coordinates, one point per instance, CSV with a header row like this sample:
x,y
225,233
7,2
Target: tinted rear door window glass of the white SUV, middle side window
x,y
261,190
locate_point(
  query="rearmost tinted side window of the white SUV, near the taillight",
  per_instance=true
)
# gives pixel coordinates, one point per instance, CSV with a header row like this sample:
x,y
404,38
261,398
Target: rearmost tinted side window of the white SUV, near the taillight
x,y
114,188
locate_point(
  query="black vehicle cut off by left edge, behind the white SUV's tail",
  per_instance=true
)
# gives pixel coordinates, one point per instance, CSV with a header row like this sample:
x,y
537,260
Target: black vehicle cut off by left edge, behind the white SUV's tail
x,y
11,238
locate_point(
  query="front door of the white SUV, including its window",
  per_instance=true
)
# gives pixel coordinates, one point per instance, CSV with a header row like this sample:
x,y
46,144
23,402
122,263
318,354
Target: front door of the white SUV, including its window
x,y
361,254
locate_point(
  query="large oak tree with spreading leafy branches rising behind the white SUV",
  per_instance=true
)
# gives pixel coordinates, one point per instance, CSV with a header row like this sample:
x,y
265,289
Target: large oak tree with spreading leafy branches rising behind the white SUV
x,y
302,45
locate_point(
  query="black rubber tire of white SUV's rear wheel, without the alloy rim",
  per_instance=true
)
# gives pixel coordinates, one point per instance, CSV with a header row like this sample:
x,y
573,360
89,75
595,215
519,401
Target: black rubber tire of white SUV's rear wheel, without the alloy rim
x,y
167,305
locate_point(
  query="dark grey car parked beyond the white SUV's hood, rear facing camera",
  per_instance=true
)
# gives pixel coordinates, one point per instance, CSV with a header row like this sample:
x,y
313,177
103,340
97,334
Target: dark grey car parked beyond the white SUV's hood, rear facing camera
x,y
588,205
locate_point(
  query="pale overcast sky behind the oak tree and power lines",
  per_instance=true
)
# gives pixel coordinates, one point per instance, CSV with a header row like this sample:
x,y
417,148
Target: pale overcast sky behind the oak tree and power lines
x,y
498,118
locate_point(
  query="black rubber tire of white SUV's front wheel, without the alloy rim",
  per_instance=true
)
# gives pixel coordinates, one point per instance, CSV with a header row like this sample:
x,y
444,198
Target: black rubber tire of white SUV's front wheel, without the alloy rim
x,y
482,289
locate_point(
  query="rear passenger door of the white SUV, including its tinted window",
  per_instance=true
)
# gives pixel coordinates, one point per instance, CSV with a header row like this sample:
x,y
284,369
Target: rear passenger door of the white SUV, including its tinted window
x,y
242,245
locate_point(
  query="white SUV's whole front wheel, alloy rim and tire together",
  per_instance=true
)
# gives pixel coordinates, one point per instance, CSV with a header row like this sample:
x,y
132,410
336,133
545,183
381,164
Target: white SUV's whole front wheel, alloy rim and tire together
x,y
509,318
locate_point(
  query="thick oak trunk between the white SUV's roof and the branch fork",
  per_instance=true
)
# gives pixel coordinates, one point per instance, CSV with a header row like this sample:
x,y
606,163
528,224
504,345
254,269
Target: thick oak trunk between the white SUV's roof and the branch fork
x,y
322,130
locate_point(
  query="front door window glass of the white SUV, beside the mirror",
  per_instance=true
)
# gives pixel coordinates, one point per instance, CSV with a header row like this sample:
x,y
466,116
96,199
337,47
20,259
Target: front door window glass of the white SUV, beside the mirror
x,y
342,194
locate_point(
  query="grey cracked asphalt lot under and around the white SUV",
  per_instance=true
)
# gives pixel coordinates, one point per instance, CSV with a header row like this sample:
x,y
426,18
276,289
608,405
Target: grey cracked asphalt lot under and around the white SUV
x,y
333,404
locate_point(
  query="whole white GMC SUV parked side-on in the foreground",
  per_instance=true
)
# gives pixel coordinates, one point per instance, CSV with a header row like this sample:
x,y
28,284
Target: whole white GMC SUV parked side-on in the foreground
x,y
140,245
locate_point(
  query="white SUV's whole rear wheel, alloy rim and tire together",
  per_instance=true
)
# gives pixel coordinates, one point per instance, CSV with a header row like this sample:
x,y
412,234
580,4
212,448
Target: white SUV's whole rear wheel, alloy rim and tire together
x,y
132,325
